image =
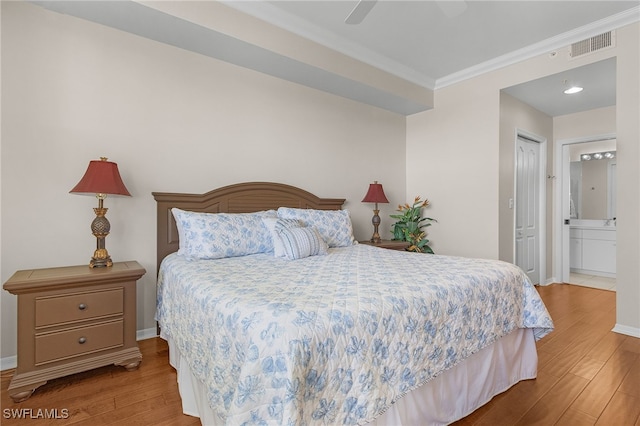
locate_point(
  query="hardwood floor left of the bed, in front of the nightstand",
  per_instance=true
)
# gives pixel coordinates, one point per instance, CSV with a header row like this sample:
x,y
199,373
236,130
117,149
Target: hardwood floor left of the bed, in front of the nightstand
x,y
108,395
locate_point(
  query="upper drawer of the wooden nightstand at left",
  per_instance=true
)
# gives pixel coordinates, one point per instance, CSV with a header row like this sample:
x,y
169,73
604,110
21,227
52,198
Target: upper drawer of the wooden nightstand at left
x,y
78,307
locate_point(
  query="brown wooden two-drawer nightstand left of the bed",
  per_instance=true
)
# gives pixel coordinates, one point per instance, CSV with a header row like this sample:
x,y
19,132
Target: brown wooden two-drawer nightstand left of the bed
x,y
73,319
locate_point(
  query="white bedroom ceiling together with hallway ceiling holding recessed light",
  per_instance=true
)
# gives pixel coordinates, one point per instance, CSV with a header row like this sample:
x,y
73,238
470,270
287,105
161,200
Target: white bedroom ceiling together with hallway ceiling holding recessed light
x,y
434,45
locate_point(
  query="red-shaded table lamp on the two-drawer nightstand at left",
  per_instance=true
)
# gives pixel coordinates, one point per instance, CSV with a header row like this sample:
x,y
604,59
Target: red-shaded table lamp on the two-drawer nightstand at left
x,y
101,178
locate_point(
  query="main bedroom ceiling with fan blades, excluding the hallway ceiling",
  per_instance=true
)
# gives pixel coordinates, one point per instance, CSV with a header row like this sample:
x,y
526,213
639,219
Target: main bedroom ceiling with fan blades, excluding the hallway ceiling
x,y
417,40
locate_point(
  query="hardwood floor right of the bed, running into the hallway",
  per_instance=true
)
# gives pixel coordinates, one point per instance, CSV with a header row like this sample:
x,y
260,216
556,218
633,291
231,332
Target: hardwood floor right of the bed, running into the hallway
x,y
587,374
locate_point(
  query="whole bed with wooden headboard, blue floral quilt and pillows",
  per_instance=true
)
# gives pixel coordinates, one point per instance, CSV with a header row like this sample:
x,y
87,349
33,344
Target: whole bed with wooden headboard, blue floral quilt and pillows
x,y
323,330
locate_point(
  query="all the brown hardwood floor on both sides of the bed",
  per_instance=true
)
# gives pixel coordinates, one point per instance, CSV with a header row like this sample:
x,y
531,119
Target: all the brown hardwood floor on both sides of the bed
x,y
587,375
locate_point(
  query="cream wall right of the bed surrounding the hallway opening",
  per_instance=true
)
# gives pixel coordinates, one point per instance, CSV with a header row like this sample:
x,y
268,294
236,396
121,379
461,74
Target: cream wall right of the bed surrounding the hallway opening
x,y
453,155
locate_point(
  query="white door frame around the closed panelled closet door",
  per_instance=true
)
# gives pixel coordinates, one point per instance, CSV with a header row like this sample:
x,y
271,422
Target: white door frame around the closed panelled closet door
x,y
542,198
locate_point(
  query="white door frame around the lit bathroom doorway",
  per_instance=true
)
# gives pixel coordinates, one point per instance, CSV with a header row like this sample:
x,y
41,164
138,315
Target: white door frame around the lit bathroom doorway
x,y
561,236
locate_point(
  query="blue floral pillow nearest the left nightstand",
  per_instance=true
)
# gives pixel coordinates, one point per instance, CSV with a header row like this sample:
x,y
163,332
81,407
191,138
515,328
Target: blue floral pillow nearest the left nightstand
x,y
218,235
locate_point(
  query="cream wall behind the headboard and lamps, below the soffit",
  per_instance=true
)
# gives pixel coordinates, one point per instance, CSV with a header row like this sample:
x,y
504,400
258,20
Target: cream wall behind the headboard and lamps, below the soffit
x,y
174,121
